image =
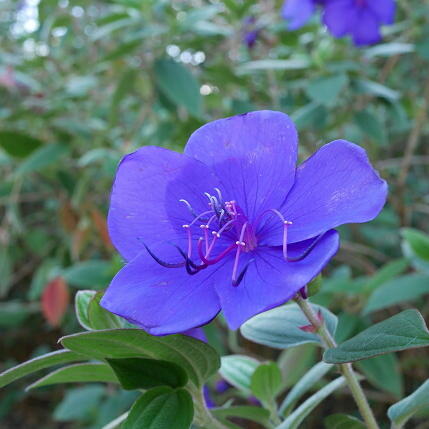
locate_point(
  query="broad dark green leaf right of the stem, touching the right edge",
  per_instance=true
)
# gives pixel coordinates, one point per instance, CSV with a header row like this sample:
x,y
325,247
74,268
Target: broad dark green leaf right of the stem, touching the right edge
x,y
403,331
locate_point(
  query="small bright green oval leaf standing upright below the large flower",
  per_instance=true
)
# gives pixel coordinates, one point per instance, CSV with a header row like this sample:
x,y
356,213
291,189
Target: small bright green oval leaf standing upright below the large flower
x,y
266,382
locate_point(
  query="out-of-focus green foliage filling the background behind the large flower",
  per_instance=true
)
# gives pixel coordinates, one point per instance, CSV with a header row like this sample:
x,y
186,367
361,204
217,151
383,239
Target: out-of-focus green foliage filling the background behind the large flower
x,y
84,82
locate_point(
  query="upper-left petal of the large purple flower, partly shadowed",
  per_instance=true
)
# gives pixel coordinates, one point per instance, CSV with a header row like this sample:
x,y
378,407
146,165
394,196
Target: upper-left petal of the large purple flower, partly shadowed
x,y
145,205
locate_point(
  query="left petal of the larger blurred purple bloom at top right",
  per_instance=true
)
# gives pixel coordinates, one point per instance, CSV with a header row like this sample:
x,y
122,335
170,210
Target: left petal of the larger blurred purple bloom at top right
x,y
340,16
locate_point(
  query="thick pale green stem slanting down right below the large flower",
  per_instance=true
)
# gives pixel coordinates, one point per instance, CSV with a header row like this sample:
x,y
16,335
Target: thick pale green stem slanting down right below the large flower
x,y
346,368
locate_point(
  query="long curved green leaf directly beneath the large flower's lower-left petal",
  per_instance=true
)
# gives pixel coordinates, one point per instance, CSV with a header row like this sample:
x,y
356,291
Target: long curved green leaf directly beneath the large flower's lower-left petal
x,y
198,359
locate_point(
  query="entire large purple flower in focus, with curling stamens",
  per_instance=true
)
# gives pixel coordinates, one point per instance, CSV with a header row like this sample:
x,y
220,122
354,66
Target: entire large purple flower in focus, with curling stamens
x,y
231,224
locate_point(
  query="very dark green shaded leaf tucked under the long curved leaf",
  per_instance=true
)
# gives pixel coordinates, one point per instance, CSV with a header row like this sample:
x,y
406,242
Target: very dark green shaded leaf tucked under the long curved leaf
x,y
139,373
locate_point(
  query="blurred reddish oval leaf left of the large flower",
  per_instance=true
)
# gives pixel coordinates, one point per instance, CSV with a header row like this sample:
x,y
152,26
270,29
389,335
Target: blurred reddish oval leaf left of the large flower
x,y
55,299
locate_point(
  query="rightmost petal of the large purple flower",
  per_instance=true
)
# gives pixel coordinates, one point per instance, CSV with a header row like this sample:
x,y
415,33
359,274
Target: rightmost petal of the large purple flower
x,y
337,185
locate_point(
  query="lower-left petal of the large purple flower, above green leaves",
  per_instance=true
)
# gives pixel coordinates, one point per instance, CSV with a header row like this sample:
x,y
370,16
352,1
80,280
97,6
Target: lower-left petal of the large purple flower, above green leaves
x,y
163,300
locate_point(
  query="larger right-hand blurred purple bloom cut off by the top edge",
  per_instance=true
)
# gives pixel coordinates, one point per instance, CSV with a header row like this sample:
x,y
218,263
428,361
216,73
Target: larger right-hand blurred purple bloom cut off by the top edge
x,y
361,19
